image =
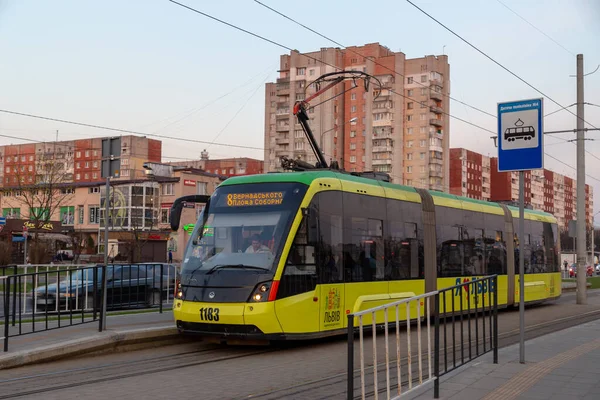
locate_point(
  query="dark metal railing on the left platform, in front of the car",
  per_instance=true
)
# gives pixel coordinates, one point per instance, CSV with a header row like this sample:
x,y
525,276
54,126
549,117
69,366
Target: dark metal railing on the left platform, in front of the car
x,y
44,297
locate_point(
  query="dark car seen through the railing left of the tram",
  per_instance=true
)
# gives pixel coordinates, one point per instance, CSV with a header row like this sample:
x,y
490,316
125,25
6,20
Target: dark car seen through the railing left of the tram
x,y
128,285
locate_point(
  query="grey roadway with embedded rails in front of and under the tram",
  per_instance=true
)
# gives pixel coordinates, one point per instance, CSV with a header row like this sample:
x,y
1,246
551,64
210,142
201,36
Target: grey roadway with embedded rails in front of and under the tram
x,y
309,370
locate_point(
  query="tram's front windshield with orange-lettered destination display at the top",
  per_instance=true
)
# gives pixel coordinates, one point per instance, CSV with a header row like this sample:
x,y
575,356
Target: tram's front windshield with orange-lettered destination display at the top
x,y
245,229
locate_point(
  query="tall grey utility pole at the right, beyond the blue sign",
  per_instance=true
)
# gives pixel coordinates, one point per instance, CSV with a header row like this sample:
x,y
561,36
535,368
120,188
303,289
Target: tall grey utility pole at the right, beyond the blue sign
x,y
581,220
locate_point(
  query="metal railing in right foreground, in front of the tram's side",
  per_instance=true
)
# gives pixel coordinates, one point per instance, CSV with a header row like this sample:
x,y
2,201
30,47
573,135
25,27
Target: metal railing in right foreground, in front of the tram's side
x,y
410,361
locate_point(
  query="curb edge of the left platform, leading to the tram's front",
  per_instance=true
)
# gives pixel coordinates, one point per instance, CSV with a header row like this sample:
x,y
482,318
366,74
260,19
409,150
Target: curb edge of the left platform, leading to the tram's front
x,y
99,342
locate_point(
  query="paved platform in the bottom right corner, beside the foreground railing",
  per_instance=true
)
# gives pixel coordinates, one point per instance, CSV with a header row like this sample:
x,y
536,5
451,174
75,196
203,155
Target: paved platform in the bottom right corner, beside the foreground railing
x,y
560,365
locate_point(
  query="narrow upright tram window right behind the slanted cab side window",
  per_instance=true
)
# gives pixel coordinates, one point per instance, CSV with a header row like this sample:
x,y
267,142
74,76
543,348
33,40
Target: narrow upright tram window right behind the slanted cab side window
x,y
330,245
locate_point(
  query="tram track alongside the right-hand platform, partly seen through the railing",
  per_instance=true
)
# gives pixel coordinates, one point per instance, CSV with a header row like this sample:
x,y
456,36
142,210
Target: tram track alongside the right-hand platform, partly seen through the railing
x,y
339,380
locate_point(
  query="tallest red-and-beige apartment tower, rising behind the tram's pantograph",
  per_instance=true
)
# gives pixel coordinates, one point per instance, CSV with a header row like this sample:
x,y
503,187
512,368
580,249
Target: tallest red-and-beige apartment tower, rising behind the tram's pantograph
x,y
400,128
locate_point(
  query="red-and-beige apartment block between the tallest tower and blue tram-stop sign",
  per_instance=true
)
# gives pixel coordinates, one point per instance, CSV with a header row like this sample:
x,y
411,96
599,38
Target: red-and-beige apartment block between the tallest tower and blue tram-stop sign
x,y
470,174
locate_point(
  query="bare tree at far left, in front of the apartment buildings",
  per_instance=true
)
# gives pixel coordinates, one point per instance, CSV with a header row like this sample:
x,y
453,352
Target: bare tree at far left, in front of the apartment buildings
x,y
44,186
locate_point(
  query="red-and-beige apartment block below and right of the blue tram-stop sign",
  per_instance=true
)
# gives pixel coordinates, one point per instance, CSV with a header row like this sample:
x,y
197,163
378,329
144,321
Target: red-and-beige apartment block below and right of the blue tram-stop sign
x,y
544,190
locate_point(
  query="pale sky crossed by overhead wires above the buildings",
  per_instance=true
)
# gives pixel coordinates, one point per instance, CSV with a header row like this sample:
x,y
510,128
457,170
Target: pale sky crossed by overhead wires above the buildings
x,y
155,67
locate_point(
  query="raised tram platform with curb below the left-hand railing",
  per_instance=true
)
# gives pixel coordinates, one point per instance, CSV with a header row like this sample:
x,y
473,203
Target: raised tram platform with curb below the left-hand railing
x,y
133,330
